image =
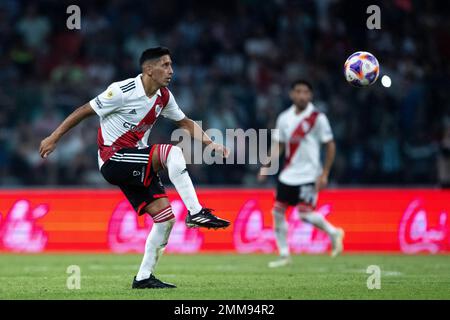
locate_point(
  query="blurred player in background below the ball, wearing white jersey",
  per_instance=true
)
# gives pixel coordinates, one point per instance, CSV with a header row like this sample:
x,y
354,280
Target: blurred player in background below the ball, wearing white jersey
x,y
302,130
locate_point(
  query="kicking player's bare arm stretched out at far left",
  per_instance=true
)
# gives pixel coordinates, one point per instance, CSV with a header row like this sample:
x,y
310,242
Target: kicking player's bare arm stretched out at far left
x,y
49,144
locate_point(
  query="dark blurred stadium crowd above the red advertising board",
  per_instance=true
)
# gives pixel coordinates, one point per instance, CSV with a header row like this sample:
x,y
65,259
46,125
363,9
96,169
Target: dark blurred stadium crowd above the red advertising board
x,y
233,63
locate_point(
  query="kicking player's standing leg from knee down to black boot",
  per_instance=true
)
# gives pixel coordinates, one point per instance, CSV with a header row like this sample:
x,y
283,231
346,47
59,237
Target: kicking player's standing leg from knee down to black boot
x,y
157,240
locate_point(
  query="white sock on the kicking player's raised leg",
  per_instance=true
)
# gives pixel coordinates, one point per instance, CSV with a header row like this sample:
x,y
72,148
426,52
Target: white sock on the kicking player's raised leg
x,y
178,175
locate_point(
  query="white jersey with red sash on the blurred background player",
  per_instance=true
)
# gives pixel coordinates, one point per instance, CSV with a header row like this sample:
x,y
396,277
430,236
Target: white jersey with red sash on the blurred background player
x,y
302,135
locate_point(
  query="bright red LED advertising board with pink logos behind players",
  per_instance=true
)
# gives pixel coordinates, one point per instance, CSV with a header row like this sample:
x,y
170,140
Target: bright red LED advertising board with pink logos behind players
x,y
375,220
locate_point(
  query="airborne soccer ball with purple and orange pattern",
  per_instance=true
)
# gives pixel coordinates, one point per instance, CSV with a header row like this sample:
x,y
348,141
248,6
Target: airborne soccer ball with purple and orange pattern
x,y
361,69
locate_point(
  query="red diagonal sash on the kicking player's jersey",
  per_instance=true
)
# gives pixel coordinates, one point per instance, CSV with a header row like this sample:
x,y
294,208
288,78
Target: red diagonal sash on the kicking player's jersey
x,y
131,137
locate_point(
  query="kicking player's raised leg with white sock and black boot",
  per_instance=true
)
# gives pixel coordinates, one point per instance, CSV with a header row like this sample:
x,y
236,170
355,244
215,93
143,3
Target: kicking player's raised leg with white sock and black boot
x,y
171,157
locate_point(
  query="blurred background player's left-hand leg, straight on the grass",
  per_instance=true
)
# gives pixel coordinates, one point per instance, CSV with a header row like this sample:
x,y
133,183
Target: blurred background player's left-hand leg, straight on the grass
x,y
280,228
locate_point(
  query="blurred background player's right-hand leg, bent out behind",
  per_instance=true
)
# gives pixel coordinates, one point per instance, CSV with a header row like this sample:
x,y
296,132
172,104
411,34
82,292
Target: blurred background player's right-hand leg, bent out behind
x,y
336,234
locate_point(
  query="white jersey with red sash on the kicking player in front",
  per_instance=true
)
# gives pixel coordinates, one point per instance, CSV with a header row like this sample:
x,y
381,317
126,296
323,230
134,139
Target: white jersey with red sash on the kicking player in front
x,y
127,115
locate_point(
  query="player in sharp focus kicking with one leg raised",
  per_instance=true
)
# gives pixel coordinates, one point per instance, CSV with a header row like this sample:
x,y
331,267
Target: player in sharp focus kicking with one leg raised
x,y
128,109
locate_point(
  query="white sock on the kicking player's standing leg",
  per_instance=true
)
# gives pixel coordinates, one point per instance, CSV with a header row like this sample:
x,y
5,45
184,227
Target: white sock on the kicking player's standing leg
x,y
156,241
